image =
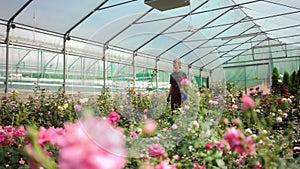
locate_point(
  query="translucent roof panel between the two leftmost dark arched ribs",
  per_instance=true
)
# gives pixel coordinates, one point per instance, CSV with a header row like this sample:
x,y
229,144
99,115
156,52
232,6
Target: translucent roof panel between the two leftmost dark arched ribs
x,y
51,15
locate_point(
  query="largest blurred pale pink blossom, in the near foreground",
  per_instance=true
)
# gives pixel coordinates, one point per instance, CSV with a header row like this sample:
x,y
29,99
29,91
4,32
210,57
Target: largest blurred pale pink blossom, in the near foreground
x,y
91,143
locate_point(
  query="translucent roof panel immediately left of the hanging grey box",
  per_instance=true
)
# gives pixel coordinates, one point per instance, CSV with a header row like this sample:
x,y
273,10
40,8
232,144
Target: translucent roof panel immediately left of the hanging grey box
x,y
109,21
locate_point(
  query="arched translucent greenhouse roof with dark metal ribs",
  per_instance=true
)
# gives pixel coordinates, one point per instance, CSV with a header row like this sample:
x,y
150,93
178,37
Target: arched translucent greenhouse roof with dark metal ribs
x,y
205,34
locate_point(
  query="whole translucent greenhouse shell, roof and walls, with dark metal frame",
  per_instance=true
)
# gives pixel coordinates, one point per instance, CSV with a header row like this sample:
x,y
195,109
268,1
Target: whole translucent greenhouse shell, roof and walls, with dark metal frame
x,y
87,45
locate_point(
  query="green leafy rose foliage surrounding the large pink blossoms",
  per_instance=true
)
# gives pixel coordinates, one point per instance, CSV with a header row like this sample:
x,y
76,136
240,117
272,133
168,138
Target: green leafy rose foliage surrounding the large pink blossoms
x,y
202,119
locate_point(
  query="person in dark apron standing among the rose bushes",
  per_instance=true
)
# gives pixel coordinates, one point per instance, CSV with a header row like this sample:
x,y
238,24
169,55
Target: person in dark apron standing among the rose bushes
x,y
175,84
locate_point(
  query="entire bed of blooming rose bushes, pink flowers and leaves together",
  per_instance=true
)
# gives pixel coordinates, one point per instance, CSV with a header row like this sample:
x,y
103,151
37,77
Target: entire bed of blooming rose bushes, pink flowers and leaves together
x,y
210,130
